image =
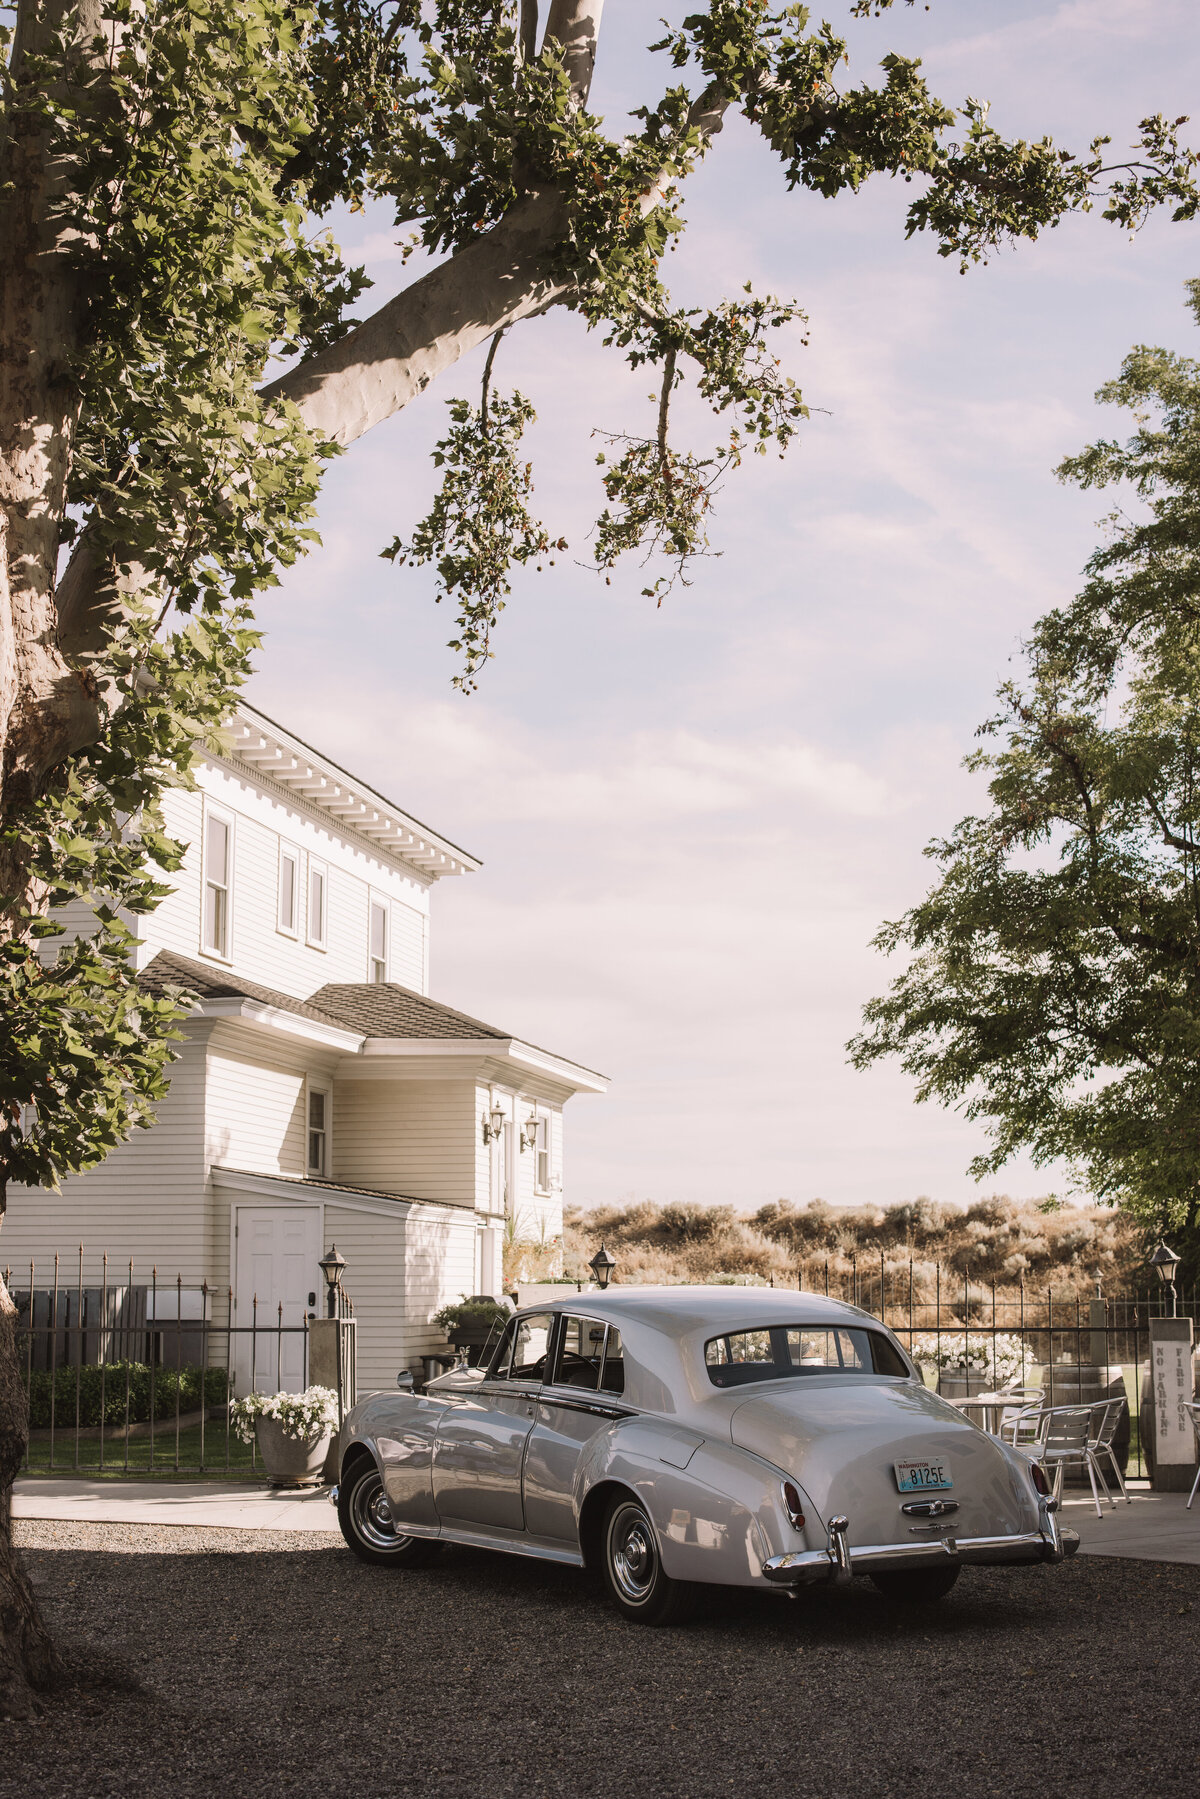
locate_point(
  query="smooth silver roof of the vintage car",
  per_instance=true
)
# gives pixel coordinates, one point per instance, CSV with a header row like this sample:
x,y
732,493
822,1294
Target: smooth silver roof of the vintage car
x,y
683,1311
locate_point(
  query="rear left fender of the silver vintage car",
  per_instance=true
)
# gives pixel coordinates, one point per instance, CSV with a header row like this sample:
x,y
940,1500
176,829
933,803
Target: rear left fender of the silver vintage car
x,y
717,1510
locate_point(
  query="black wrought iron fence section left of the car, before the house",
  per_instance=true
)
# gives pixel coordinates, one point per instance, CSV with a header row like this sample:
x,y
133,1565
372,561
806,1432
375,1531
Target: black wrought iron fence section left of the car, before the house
x,y
138,1377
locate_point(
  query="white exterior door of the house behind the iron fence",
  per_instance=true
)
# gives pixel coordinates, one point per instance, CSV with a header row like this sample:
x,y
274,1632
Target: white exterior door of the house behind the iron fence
x,y
278,1266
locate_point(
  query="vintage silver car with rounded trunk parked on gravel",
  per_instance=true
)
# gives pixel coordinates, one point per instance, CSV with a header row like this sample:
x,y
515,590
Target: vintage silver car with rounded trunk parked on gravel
x,y
690,1437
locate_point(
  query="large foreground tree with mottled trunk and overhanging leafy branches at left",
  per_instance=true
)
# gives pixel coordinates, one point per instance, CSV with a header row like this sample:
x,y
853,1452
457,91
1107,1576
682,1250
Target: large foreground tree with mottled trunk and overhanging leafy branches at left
x,y
161,174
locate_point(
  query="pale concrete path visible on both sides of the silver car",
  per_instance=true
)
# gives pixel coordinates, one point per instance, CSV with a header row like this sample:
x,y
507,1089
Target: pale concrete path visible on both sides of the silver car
x,y
1154,1528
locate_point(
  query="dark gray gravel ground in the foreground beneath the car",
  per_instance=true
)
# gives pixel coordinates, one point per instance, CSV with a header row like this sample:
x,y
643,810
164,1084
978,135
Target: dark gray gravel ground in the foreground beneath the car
x,y
240,1663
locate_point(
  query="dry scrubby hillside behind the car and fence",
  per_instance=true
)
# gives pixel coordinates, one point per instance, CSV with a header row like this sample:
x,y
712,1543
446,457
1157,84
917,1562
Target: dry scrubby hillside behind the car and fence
x,y
994,1240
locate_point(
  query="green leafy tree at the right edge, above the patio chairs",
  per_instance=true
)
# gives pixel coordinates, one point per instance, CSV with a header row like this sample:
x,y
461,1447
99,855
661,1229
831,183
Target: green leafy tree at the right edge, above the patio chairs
x,y
1055,978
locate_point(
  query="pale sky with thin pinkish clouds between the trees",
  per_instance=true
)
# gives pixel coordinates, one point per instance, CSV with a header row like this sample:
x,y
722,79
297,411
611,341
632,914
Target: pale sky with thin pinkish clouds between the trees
x,y
694,819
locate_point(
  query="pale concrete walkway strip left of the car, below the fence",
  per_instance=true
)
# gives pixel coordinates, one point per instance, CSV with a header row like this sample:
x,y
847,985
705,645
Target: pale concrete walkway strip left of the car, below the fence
x,y
237,1505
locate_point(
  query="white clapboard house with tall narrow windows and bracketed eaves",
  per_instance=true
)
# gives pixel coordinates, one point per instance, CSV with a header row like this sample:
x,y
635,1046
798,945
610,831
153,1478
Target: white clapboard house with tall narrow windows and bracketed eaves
x,y
321,1096
